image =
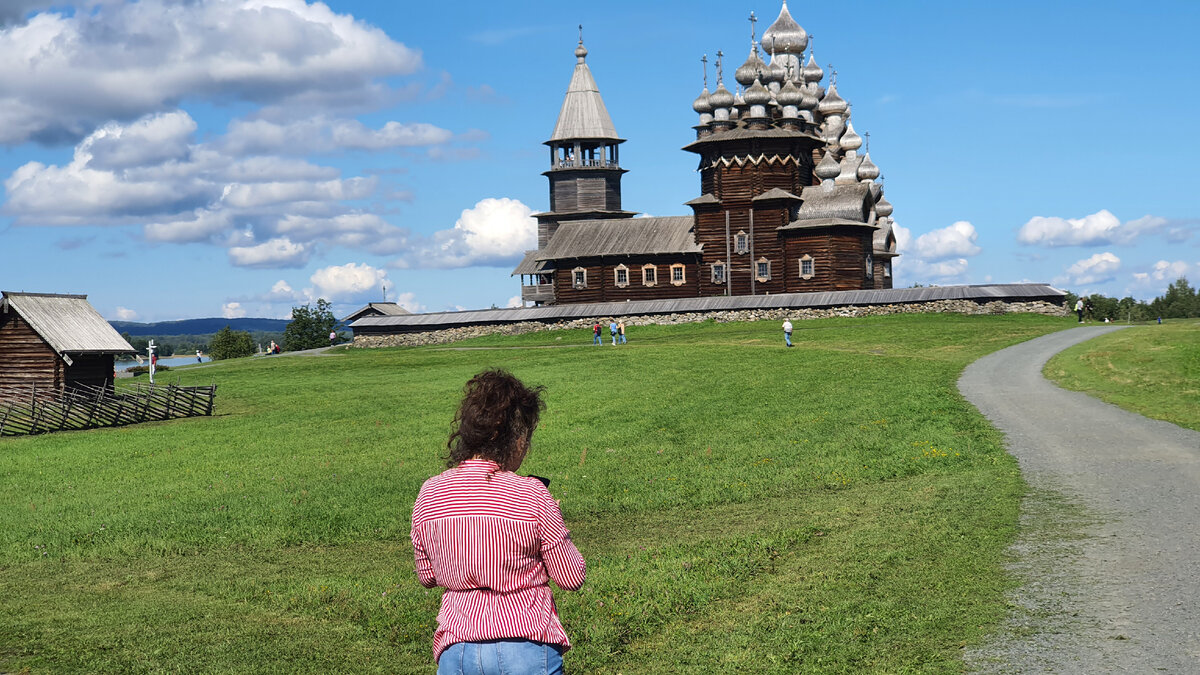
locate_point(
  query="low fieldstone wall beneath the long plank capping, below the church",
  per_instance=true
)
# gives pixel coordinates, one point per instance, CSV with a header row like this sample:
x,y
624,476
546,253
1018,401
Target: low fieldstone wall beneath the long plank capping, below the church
x,y
952,307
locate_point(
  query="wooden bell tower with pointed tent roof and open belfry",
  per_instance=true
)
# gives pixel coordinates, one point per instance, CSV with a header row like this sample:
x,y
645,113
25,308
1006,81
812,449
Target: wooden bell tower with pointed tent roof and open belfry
x,y
585,160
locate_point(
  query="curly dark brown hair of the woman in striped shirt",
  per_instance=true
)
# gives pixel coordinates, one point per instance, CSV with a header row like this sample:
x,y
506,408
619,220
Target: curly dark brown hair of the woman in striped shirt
x,y
496,414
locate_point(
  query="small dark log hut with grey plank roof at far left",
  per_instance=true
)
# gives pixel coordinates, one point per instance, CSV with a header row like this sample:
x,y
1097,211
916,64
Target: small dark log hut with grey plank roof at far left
x,y
51,343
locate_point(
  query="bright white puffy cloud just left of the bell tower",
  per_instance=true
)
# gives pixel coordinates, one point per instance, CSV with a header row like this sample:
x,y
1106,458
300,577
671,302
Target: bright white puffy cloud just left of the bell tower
x,y
494,232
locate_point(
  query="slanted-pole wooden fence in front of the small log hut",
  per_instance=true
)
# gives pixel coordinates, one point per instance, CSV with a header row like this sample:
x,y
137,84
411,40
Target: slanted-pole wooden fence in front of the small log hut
x,y
27,410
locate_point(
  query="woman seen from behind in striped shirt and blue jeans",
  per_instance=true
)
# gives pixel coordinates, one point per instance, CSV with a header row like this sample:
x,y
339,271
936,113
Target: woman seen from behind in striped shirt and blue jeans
x,y
495,540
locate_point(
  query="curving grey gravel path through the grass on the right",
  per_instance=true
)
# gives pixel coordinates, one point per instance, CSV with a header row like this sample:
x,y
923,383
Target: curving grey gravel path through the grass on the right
x,y
1109,552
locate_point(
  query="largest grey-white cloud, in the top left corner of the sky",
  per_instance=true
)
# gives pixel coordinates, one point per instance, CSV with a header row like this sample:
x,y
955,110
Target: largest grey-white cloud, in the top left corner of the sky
x,y
121,62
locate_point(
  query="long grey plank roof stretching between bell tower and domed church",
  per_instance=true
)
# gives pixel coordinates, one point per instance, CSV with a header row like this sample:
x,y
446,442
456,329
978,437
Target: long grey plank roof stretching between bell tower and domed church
x,y
621,237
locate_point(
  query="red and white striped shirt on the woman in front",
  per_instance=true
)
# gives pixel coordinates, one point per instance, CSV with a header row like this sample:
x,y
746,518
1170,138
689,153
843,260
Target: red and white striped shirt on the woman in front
x,y
494,540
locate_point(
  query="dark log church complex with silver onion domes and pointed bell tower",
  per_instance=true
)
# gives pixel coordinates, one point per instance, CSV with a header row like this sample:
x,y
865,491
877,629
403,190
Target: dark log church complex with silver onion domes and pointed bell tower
x,y
788,205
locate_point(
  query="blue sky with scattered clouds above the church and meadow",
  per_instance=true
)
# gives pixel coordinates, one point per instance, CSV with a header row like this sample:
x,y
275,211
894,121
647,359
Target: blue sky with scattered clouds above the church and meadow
x,y
197,159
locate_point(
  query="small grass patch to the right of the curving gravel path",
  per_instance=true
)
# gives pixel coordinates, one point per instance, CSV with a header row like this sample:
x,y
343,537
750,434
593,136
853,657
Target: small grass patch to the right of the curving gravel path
x,y
1153,371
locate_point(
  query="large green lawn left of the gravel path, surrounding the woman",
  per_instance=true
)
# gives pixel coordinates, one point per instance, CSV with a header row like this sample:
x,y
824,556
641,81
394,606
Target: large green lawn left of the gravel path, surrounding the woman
x,y
742,507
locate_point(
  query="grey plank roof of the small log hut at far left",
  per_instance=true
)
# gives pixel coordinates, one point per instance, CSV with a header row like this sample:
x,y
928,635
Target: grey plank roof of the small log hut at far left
x,y
68,324
